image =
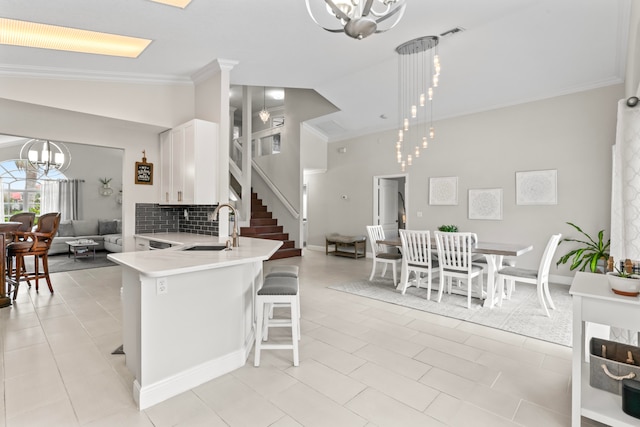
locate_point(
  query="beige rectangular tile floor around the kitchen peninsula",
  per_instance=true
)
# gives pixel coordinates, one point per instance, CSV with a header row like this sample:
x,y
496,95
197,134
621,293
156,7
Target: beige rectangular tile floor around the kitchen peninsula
x,y
362,363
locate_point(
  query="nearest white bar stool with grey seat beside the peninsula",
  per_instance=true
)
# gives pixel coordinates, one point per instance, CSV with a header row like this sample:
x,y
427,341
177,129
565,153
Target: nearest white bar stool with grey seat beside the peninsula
x,y
282,291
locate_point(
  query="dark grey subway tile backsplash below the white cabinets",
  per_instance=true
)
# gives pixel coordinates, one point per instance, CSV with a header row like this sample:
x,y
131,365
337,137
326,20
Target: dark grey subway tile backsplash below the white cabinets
x,y
155,218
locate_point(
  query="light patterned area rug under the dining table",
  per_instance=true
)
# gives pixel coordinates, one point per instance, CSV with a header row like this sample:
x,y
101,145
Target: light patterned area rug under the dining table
x,y
521,314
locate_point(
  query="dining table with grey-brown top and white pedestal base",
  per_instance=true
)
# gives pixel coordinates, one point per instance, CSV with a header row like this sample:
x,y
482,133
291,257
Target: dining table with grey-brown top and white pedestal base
x,y
493,252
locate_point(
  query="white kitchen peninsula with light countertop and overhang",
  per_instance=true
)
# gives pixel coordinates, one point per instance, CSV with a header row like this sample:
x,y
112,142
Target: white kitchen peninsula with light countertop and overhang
x,y
188,315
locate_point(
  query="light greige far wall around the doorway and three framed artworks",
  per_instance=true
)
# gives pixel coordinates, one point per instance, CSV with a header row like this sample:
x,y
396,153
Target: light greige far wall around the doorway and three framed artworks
x,y
572,134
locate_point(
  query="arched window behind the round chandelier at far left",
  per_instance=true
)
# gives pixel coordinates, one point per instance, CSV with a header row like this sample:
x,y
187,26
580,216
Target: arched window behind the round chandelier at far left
x,y
21,187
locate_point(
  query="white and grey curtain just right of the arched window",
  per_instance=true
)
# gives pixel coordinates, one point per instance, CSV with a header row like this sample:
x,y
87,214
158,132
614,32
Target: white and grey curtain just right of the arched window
x,y
61,196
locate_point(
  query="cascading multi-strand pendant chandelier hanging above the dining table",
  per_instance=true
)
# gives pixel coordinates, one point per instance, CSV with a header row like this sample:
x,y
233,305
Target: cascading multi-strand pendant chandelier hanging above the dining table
x,y
419,71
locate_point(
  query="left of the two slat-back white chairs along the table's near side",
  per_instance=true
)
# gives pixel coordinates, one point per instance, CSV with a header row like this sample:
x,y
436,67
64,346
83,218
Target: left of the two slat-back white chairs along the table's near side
x,y
416,258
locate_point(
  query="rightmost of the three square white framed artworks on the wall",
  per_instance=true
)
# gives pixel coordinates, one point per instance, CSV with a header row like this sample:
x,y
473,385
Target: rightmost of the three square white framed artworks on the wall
x,y
537,187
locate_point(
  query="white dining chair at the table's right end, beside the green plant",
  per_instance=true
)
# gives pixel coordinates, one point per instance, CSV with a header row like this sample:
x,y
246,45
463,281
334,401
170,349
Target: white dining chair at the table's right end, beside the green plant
x,y
539,277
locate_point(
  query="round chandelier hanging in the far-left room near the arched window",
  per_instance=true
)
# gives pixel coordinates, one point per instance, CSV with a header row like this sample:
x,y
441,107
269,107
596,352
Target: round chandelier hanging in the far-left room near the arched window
x,y
45,155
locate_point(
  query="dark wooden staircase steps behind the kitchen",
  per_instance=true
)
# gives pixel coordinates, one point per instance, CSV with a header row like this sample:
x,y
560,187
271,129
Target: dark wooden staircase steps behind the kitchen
x,y
263,226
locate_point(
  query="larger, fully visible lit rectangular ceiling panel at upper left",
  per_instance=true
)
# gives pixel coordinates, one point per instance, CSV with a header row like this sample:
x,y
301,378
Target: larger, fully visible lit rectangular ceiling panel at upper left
x,y
31,34
